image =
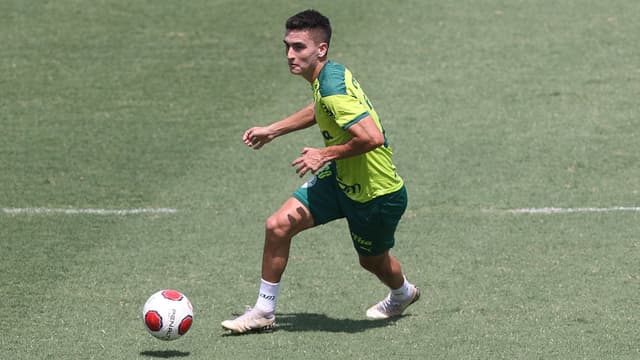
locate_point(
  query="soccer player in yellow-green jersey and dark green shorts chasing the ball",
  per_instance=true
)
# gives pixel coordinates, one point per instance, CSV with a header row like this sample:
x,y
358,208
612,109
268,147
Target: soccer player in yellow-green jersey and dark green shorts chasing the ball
x,y
354,177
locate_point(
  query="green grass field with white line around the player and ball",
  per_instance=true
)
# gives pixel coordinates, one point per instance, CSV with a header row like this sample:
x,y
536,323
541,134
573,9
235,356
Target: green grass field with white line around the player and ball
x,y
490,106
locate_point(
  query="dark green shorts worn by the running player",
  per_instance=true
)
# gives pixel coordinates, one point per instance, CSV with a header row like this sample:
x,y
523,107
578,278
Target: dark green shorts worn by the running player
x,y
372,224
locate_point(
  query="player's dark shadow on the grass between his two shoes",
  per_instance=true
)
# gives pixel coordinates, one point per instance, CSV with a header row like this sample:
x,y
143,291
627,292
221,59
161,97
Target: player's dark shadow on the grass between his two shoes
x,y
296,322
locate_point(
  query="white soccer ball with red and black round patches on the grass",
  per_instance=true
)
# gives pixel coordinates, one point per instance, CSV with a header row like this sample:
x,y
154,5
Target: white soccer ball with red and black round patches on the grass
x,y
167,314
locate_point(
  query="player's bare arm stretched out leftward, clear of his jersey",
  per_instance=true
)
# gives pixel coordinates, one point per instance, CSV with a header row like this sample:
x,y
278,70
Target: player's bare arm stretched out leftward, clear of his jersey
x,y
258,136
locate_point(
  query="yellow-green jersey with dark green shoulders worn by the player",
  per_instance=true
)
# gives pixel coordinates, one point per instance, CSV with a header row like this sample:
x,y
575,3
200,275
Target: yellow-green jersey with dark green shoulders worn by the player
x,y
340,103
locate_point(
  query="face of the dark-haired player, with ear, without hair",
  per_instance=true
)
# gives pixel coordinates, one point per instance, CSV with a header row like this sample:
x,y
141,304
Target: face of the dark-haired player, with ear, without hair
x,y
304,53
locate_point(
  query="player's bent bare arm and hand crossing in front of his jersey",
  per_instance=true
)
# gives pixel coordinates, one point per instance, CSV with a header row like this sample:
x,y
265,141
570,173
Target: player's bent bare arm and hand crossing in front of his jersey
x,y
366,136
